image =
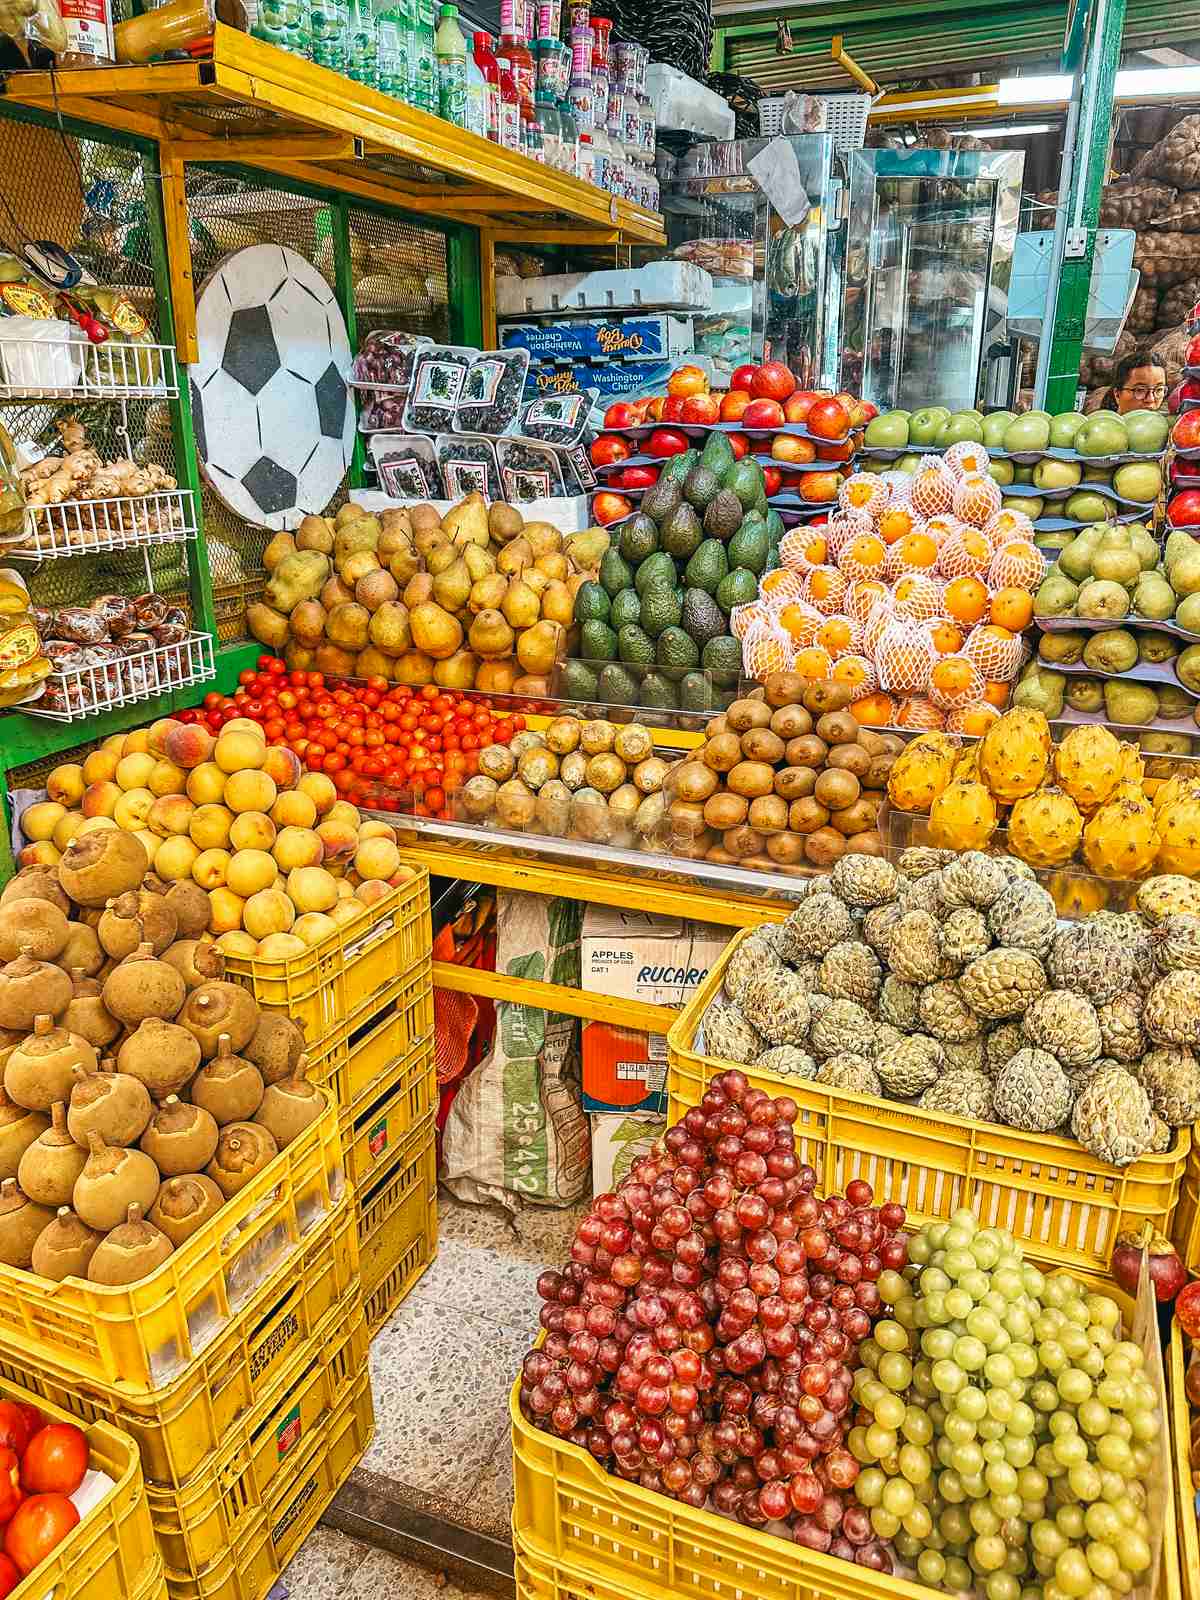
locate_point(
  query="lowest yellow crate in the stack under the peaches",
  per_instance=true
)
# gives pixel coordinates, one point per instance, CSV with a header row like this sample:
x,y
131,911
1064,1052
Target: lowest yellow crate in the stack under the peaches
x,y
398,1225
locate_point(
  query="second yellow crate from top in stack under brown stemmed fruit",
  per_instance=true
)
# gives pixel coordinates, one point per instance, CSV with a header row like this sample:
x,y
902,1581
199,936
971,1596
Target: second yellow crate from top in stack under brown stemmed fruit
x,y
308,1298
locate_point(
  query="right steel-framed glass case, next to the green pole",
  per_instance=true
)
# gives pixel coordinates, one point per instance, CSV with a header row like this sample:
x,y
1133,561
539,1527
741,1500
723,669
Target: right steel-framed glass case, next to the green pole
x,y
929,257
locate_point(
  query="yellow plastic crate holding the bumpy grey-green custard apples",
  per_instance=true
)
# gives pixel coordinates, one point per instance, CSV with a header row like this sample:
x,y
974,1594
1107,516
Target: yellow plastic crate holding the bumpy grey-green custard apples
x,y
1046,1190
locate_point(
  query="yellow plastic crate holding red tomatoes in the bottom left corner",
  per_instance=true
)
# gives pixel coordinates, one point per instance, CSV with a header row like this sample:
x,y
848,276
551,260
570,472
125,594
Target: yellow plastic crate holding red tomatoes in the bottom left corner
x,y
111,1551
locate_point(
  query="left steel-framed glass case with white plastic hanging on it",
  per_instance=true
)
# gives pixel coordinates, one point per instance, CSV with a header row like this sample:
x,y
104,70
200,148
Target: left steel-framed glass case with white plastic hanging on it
x,y
769,274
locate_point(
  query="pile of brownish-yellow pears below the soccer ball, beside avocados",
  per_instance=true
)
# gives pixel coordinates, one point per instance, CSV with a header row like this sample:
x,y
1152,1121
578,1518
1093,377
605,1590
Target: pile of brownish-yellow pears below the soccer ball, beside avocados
x,y
471,599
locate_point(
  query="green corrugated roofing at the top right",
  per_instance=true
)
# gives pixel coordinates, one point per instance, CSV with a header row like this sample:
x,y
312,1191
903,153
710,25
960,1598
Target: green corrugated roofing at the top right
x,y
903,41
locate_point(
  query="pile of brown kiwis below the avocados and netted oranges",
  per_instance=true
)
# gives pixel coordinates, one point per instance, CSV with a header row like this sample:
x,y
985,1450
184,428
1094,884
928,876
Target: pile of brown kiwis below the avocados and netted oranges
x,y
786,782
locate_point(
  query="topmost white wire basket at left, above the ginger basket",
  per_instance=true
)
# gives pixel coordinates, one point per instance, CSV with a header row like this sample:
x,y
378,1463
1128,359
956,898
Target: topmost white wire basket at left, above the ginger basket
x,y
78,370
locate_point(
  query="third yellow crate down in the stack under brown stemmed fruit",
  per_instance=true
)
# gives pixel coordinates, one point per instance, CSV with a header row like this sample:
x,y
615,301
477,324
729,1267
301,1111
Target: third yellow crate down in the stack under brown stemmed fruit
x,y
209,1514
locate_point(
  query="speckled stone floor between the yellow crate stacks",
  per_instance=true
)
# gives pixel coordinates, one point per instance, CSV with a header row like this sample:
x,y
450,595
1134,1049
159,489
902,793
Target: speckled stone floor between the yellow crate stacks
x,y
441,1374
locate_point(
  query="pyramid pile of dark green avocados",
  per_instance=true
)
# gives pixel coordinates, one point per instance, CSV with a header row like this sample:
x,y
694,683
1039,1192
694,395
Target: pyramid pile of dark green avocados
x,y
655,628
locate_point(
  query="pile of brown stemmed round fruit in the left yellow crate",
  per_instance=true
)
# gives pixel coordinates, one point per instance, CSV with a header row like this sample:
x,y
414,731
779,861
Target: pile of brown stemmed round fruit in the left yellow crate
x,y
138,1089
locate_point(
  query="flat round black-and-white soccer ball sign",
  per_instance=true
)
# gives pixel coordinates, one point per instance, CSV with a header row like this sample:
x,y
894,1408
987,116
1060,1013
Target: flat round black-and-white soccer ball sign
x,y
273,417
